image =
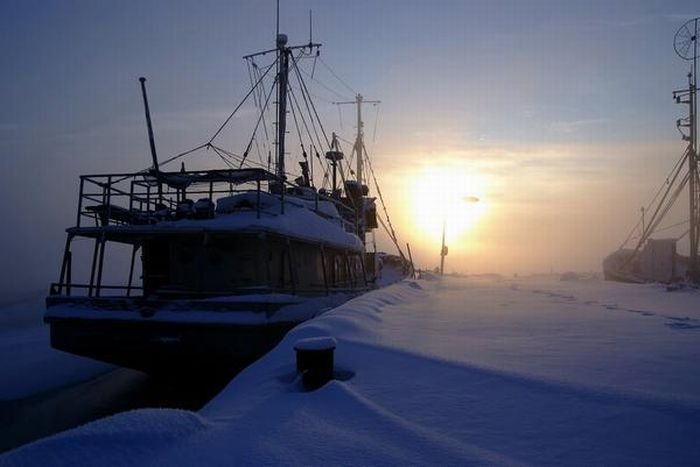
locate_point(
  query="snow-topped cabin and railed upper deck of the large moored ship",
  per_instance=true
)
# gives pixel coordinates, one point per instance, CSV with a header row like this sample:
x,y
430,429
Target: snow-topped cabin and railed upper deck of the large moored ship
x,y
177,243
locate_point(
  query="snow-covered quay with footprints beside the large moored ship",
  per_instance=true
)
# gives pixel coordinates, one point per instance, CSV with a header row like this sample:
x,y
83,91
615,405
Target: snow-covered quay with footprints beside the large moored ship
x,y
445,372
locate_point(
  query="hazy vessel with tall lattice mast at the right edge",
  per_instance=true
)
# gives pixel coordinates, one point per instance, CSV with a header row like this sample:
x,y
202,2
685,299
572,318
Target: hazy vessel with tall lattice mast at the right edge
x,y
657,259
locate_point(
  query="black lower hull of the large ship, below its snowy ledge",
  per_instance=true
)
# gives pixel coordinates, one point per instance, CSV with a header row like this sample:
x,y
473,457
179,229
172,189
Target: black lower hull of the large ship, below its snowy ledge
x,y
167,348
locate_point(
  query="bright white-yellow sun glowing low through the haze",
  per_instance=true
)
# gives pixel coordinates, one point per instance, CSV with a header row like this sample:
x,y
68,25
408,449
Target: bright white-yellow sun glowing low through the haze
x,y
450,195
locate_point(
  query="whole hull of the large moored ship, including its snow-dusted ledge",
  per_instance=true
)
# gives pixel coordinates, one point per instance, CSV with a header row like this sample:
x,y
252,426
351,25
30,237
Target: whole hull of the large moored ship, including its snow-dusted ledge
x,y
186,337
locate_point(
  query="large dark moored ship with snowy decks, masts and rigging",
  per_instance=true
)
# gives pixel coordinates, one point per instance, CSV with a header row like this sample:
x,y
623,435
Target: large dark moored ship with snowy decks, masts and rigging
x,y
229,259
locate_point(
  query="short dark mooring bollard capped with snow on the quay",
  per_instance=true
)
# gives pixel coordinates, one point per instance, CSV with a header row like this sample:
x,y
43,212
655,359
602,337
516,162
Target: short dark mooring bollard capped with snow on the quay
x,y
315,360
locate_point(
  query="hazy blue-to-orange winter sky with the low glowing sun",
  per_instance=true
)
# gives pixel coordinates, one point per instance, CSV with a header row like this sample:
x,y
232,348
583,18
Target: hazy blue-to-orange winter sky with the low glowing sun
x,y
557,115
